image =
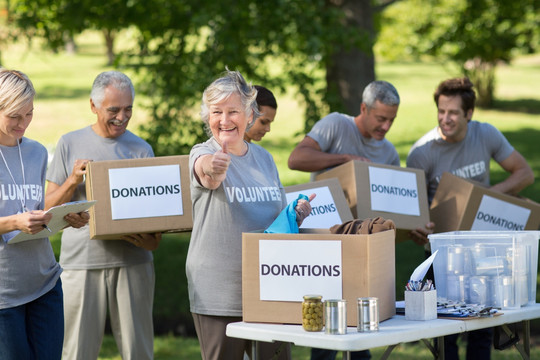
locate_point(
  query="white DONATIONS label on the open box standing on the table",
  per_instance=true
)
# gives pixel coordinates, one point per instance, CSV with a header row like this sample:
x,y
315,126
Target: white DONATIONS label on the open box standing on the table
x,y
290,269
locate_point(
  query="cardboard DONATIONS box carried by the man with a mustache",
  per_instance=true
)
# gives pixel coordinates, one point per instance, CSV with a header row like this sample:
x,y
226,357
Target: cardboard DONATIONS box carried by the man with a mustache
x,y
139,196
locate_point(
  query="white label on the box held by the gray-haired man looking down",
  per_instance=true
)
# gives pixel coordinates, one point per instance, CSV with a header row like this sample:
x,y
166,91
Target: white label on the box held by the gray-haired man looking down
x,y
393,191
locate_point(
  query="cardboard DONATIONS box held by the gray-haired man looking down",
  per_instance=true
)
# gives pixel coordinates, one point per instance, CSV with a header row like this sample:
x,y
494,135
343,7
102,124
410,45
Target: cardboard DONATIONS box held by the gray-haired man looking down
x,y
388,191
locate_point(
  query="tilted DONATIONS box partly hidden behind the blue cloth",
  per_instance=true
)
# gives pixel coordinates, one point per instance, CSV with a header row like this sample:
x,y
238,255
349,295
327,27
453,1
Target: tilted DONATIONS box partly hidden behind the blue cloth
x,y
329,206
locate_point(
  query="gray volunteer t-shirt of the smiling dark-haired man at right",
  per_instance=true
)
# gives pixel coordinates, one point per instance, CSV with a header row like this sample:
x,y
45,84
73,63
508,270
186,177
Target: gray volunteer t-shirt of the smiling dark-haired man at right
x,y
468,158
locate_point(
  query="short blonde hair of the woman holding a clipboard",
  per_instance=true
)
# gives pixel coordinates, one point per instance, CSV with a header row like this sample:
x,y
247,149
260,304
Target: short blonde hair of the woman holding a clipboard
x,y
16,90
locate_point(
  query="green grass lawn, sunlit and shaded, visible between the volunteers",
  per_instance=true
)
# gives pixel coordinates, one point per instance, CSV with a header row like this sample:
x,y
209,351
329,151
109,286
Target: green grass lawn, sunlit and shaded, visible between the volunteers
x,y
63,84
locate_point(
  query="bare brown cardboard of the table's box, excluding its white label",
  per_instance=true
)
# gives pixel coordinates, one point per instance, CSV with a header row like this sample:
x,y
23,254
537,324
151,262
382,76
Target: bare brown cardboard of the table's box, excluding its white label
x,y
368,270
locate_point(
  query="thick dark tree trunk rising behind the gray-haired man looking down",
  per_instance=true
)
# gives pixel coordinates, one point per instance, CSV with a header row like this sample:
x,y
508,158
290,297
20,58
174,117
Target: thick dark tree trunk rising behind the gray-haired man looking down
x,y
348,71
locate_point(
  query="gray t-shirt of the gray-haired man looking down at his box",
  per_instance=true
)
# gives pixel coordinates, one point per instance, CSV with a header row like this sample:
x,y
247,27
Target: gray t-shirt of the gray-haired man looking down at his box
x,y
337,133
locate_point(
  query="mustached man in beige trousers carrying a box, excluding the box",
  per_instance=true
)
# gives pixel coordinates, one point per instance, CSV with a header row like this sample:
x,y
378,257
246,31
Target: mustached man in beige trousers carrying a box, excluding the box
x,y
103,275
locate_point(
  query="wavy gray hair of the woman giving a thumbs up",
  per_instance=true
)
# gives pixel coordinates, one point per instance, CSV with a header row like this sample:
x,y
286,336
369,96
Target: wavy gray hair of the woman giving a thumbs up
x,y
232,82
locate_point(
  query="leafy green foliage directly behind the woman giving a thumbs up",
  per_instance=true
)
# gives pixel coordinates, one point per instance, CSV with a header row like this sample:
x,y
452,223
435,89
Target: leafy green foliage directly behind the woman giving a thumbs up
x,y
184,45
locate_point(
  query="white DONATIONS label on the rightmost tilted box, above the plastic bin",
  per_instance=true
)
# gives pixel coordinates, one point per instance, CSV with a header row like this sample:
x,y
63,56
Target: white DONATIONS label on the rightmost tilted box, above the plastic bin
x,y
495,214
